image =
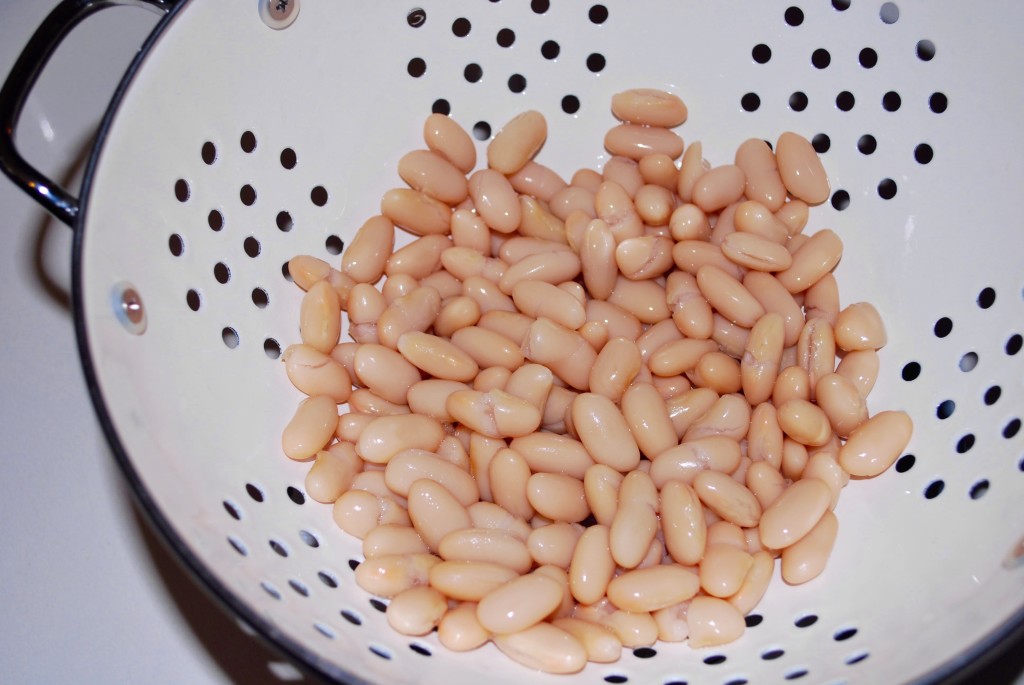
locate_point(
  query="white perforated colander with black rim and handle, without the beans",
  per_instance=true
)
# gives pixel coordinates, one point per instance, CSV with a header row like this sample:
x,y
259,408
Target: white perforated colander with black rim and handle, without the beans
x,y
232,147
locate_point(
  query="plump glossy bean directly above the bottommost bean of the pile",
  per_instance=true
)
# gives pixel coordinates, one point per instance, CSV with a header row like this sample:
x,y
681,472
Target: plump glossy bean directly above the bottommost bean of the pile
x,y
520,604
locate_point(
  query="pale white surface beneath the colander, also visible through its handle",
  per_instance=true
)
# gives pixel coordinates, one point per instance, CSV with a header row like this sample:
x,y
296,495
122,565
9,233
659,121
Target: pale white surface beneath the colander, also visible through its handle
x,y
88,592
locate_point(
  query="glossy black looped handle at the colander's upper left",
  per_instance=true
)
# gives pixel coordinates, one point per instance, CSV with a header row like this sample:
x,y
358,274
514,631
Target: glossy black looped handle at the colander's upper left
x,y
36,54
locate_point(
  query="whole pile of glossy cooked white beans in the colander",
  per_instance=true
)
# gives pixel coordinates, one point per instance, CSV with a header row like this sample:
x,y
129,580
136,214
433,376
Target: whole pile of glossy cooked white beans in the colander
x,y
590,415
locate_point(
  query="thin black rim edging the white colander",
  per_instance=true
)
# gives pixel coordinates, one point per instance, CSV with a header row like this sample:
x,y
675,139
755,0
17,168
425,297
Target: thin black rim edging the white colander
x,y
957,670
